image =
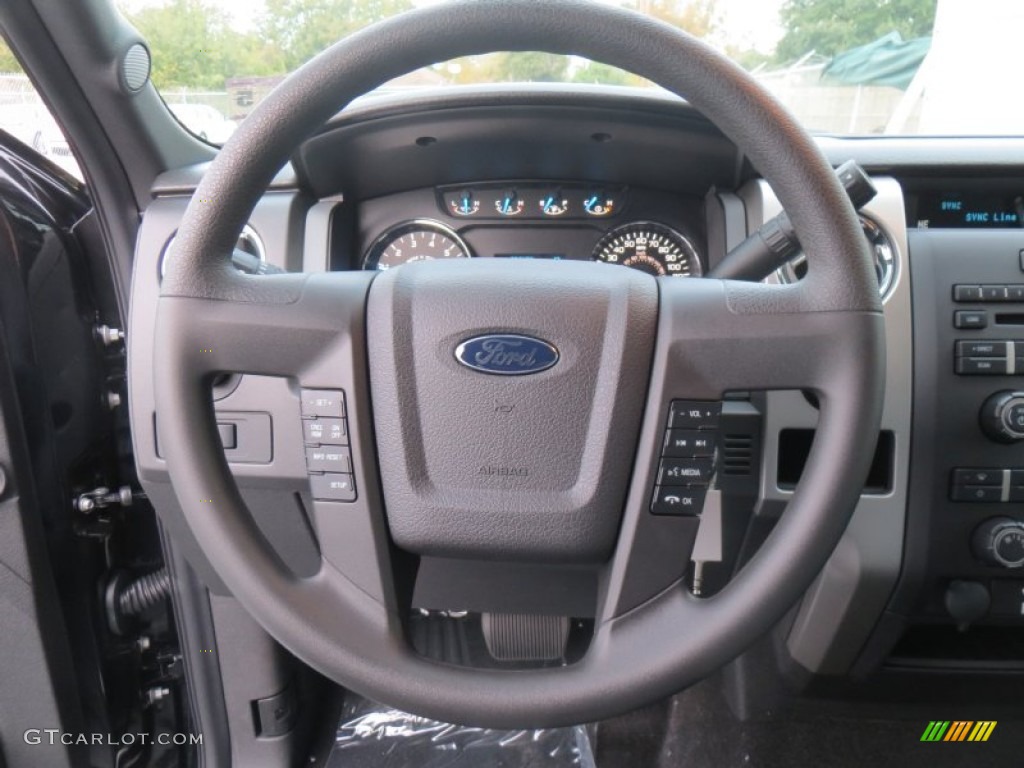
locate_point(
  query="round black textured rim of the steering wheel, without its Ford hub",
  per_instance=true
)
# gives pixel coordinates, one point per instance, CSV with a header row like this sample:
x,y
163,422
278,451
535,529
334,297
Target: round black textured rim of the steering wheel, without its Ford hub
x,y
671,642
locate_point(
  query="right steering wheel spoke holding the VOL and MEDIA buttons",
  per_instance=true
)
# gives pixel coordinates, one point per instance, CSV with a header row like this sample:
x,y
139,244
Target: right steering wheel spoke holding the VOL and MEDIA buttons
x,y
716,338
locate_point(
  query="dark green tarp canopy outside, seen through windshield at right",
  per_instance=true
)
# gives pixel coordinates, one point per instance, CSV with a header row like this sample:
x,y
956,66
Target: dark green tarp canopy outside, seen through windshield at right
x,y
889,61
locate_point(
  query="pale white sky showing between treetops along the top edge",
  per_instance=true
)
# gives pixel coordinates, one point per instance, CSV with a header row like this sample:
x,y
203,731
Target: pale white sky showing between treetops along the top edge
x,y
745,23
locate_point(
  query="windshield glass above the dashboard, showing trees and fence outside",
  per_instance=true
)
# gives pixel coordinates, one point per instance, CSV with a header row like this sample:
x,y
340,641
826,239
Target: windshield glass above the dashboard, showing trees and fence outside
x,y
842,67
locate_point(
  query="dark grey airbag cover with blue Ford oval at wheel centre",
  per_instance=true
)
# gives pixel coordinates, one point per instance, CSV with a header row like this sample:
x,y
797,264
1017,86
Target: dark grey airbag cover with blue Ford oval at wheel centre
x,y
479,463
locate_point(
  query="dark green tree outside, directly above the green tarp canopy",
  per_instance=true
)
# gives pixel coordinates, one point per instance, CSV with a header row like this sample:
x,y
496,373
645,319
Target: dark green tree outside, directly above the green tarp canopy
x,y
831,27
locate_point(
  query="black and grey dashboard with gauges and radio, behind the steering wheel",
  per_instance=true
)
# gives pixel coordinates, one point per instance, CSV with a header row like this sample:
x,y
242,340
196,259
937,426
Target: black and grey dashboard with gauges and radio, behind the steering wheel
x,y
644,182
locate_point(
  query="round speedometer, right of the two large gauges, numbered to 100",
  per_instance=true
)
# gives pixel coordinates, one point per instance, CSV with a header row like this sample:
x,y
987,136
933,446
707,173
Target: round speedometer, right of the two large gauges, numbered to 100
x,y
652,247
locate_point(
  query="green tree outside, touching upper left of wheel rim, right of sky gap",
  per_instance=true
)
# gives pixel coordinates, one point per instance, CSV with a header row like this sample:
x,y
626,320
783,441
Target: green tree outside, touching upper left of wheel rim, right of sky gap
x,y
302,29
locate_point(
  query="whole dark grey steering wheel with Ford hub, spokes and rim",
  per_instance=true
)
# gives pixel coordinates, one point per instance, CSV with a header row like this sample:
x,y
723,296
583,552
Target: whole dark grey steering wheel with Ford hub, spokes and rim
x,y
580,457
